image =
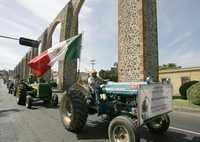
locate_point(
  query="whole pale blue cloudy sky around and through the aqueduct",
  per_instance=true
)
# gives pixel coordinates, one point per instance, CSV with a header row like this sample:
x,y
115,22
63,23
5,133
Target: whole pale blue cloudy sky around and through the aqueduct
x,y
178,30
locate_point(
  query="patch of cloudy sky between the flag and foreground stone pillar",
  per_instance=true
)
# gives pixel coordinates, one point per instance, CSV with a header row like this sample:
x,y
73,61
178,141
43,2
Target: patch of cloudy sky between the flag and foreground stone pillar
x,y
99,40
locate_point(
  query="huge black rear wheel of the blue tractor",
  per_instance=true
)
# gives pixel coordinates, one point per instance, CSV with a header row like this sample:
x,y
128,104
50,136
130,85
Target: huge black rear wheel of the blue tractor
x,y
73,111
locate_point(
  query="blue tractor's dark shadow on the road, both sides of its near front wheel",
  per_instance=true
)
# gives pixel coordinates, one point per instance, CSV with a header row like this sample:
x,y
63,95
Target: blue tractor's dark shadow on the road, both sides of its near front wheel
x,y
98,129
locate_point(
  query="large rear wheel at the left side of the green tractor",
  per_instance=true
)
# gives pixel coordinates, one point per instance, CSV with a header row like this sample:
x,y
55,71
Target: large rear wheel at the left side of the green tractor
x,y
21,96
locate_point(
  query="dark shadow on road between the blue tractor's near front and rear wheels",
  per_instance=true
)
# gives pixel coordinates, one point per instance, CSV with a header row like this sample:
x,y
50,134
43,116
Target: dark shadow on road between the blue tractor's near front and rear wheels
x,y
94,130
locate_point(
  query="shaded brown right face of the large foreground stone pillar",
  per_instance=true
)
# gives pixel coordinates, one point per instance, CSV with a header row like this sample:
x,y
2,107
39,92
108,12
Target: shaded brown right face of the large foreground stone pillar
x,y
151,65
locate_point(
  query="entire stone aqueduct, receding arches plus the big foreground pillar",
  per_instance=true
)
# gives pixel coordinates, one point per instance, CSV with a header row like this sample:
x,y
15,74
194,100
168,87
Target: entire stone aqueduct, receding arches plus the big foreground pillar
x,y
137,41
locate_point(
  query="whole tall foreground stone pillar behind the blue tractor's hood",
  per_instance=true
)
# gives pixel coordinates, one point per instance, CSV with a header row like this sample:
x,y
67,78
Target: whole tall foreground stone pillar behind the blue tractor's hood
x,y
137,43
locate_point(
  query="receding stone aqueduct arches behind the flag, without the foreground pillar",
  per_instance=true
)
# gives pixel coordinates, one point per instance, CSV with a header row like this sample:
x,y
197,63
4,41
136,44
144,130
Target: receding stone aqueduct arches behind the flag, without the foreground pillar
x,y
68,17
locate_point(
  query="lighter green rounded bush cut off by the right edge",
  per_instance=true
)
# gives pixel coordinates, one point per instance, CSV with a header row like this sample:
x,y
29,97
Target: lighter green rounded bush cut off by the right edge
x,y
194,94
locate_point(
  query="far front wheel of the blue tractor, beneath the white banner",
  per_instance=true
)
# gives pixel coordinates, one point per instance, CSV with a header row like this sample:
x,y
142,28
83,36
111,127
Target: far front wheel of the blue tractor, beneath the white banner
x,y
159,125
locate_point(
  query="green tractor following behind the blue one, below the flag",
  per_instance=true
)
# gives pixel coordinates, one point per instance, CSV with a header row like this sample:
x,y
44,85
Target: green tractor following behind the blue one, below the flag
x,y
29,91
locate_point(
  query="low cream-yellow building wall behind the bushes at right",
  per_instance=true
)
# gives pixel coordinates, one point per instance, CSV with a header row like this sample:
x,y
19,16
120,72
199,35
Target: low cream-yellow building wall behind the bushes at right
x,y
179,76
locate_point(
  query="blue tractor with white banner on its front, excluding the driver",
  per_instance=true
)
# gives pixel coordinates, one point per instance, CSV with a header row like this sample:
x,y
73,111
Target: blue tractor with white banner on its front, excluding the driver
x,y
129,105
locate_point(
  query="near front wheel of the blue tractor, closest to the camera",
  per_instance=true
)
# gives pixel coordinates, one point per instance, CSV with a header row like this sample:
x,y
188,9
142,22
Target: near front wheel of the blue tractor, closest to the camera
x,y
123,129
